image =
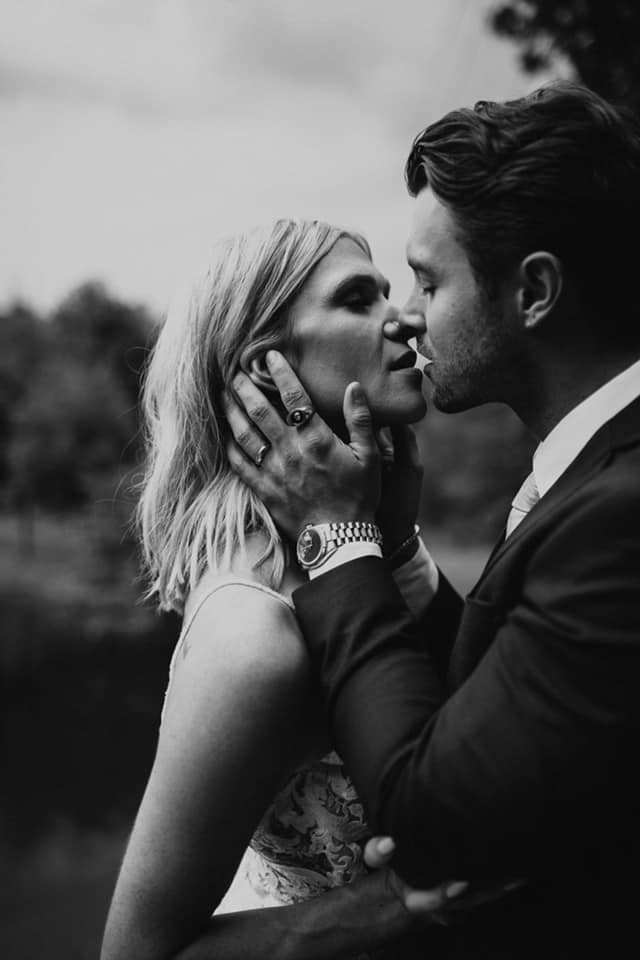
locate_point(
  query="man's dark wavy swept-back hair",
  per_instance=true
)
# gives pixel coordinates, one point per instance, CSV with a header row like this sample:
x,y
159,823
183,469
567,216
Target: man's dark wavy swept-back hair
x,y
557,170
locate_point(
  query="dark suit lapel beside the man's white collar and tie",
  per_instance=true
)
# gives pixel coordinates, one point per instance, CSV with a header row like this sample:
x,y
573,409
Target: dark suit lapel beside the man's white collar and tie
x,y
622,430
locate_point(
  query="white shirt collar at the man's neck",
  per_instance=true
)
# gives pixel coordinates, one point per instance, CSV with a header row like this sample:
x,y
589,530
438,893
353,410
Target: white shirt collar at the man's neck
x,y
573,432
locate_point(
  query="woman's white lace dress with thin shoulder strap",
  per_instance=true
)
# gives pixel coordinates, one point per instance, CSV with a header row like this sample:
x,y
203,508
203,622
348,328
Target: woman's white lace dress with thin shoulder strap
x,y
310,838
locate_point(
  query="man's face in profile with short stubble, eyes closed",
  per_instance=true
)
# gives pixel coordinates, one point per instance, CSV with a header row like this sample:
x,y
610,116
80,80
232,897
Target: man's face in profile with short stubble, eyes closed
x,y
467,336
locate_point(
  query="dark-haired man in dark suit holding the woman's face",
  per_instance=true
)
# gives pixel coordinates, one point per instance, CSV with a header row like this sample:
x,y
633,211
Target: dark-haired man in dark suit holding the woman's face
x,y
496,740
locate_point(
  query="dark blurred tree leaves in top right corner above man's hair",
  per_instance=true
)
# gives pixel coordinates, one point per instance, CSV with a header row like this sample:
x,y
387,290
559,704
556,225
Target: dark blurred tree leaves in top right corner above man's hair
x,y
599,38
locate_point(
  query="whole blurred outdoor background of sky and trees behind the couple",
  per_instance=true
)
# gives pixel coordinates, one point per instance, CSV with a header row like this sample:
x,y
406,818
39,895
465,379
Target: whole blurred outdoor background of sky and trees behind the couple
x,y
136,133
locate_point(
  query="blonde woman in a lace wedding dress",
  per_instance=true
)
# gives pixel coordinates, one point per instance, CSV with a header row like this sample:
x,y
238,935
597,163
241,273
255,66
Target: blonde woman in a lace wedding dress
x,y
240,723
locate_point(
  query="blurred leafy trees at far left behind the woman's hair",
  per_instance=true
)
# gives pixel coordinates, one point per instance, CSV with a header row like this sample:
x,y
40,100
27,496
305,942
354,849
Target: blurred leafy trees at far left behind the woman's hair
x,y
69,399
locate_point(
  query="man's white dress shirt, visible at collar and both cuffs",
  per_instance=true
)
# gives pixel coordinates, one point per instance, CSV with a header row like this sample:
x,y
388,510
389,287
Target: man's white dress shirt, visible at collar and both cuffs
x,y
417,579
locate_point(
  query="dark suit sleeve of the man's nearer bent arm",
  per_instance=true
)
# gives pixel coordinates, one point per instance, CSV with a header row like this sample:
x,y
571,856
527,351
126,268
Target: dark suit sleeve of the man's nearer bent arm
x,y
505,771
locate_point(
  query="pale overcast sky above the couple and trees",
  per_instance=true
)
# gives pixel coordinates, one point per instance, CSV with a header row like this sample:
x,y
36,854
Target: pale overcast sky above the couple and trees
x,y
135,133
